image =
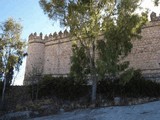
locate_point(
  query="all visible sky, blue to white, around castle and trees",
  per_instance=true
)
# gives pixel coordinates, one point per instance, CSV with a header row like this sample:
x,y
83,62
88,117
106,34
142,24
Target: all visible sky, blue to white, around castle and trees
x,y
33,19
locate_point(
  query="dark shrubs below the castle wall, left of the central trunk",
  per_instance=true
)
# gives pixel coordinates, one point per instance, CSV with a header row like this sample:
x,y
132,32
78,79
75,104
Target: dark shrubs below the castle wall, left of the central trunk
x,y
63,88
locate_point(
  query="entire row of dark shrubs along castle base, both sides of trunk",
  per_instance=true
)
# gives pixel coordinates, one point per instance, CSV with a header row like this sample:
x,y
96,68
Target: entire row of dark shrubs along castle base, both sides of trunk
x,y
69,89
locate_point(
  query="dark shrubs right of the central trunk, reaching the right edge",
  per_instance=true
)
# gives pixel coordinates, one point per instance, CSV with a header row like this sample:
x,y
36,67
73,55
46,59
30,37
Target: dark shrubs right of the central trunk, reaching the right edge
x,y
136,87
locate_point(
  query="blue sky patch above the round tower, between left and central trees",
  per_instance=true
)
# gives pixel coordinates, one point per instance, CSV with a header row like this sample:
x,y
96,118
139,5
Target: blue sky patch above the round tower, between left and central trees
x,y
29,13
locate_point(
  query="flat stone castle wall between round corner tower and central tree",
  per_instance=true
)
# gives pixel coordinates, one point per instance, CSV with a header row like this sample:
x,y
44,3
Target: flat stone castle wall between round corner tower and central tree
x,y
57,55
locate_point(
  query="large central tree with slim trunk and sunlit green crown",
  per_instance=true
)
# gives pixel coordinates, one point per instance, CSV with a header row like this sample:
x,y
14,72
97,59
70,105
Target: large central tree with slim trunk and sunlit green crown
x,y
88,21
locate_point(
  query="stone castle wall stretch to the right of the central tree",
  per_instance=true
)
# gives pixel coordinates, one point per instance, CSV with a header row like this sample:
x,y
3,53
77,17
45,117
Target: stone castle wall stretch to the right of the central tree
x,y
145,54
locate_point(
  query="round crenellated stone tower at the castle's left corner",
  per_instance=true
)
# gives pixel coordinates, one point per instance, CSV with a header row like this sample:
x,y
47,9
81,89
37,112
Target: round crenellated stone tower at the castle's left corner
x,y
35,59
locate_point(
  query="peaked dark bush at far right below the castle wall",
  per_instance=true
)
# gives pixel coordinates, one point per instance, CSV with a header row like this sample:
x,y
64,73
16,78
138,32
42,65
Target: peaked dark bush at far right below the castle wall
x,y
139,87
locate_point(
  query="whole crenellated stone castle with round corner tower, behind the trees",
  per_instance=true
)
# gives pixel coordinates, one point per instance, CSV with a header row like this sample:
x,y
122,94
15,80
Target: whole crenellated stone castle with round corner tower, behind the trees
x,y
51,54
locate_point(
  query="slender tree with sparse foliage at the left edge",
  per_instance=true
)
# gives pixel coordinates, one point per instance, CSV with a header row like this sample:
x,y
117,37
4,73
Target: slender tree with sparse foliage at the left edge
x,y
11,51
